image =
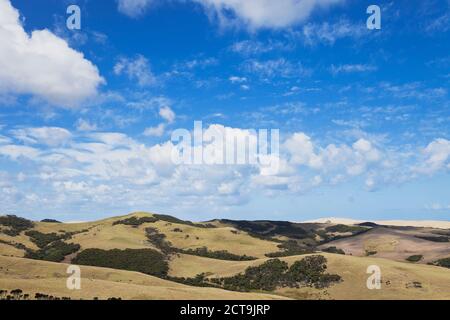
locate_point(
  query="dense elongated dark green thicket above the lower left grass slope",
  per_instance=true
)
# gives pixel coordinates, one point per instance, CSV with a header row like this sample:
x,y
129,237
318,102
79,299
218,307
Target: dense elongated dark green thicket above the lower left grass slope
x,y
147,261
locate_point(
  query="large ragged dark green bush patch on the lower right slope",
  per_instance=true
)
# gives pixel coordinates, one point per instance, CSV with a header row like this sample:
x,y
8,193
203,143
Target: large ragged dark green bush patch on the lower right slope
x,y
275,273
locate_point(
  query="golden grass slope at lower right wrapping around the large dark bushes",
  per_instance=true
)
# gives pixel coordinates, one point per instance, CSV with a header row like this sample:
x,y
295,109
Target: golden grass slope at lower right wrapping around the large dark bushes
x,y
397,277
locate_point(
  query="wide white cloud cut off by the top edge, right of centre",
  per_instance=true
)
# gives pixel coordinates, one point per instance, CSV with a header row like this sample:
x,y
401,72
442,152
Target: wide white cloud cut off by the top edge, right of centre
x,y
255,14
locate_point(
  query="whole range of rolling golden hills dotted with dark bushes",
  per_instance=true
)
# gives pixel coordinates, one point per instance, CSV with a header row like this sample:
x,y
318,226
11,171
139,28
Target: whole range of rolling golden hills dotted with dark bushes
x,y
151,256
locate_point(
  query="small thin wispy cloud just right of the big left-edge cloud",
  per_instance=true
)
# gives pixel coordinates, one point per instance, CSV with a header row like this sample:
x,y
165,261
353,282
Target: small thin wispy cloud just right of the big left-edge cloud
x,y
136,69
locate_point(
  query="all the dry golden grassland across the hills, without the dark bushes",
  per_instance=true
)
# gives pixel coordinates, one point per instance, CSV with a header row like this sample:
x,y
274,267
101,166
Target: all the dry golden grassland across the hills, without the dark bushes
x,y
390,247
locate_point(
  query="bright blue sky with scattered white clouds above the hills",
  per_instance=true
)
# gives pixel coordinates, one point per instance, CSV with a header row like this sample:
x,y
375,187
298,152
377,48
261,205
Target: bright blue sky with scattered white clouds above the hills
x,y
87,115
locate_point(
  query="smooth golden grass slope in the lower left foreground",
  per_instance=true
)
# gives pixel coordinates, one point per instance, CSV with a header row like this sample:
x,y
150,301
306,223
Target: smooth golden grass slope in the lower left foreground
x,y
50,278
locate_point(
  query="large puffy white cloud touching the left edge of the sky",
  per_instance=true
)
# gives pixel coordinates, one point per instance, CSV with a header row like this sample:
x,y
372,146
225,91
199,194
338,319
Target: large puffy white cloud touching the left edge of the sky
x,y
42,64
